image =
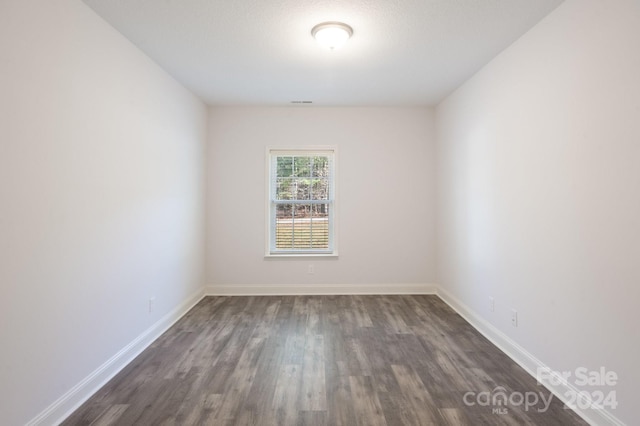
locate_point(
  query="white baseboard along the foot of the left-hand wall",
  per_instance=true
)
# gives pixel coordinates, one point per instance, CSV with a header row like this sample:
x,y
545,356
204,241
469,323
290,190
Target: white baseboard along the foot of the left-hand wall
x,y
76,396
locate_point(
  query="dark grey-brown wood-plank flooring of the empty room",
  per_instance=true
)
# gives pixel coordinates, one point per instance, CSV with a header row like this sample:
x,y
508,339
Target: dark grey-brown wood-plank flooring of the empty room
x,y
320,360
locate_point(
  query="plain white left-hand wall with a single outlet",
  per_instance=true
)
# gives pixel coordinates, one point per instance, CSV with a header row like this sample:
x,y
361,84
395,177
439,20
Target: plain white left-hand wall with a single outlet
x,y
101,192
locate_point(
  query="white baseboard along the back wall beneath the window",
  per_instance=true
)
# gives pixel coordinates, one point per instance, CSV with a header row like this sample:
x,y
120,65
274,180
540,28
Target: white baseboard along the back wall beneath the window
x,y
317,289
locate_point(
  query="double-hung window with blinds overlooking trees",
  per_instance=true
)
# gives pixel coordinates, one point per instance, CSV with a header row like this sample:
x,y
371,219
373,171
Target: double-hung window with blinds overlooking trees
x,y
301,197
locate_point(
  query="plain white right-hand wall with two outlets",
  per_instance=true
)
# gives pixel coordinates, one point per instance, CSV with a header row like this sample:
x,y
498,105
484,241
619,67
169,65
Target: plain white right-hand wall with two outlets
x,y
538,191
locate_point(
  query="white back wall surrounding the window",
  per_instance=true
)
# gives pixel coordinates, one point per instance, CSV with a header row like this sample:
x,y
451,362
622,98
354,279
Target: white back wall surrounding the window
x,y
385,190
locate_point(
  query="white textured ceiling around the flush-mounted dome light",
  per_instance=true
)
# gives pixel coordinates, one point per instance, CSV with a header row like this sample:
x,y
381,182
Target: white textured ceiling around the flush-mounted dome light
x,y
260,52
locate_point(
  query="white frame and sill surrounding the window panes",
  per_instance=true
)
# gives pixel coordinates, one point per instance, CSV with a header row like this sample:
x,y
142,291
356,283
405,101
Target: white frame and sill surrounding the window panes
x,y
270,250
